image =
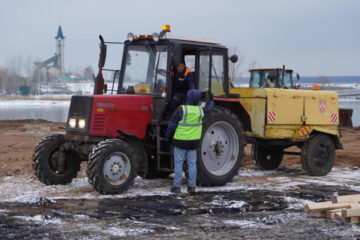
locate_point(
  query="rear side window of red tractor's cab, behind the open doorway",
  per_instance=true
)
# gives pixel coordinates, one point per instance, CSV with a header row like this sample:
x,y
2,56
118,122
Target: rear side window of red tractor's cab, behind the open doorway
x,y
212,74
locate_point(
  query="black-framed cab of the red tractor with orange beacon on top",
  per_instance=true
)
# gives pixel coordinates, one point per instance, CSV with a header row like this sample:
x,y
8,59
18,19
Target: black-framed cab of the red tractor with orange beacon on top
x,y
148,62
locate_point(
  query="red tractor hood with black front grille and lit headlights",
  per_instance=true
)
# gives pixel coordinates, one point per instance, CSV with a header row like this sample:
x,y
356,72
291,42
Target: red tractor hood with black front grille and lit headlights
x,y
106,115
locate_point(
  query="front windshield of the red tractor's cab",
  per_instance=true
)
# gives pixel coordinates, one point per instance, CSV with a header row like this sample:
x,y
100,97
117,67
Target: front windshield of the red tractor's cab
x,y
142,66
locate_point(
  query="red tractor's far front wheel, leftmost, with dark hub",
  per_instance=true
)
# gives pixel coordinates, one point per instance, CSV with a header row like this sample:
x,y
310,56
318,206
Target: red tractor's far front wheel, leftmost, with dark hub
x,y
53,166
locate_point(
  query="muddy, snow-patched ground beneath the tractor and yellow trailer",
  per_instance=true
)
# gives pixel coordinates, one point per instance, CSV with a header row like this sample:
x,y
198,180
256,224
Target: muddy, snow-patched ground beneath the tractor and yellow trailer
x,y
256,205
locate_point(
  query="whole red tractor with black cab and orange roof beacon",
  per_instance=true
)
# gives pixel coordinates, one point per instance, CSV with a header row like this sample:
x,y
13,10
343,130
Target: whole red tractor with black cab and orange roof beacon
x,y
120,132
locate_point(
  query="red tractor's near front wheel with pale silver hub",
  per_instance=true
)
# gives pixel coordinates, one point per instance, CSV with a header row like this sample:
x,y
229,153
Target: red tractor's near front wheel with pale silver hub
x,y
111,166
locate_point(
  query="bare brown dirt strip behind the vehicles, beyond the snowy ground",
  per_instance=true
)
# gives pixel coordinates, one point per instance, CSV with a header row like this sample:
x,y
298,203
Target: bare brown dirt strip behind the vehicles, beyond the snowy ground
x,y
20,137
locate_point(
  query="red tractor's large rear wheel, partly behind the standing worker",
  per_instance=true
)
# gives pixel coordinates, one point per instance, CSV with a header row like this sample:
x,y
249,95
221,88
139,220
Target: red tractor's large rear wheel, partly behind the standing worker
x,y
222,148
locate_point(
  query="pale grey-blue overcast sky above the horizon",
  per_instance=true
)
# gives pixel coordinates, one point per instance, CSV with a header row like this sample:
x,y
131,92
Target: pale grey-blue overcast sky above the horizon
x,y
314,37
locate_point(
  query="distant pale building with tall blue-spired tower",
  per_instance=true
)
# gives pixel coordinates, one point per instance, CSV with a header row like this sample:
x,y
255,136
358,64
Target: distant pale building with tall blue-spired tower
x,y
52,68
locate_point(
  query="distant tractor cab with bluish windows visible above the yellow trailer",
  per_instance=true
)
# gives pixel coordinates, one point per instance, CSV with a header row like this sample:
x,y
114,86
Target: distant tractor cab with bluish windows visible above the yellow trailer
x,y
271,78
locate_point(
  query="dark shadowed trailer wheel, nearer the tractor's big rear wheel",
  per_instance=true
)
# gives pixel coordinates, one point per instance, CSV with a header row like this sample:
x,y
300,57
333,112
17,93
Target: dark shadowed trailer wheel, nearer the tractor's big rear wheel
x,y
266,158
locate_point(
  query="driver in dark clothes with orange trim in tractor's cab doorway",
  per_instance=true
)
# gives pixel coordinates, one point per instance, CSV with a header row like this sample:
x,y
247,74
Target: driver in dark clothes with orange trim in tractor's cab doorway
x,y
181,82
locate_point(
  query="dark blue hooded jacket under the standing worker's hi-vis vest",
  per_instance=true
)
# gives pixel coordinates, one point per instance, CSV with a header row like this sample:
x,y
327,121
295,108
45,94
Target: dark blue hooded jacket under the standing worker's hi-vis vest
x,y
192,98
